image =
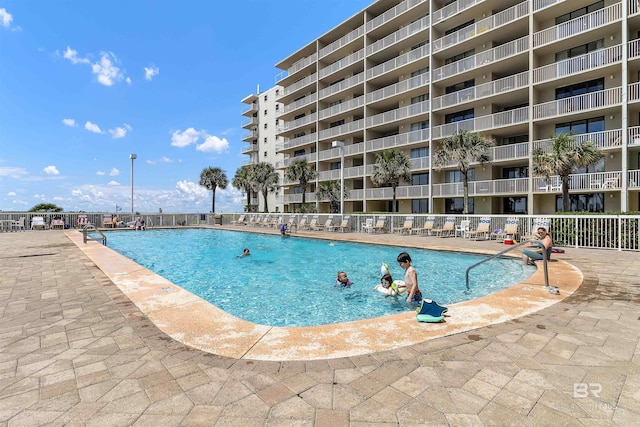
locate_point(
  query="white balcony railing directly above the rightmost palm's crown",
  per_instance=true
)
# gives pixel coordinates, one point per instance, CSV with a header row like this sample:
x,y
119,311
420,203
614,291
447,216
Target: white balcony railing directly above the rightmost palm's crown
x,y
588,101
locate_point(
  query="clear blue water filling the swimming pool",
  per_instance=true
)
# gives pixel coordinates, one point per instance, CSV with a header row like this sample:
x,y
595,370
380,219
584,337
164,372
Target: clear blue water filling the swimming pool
x,y
290,281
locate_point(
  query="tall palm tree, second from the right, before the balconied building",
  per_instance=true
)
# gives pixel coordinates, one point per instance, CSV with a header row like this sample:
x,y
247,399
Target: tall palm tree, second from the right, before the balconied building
x,y
463,148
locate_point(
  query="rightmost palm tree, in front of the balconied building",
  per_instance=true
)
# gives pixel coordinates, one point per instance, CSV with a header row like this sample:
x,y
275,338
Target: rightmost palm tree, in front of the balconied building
x,y
563,159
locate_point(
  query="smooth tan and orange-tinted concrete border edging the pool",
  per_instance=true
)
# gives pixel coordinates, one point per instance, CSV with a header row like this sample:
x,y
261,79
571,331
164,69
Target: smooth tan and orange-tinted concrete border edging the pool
x,y
197,323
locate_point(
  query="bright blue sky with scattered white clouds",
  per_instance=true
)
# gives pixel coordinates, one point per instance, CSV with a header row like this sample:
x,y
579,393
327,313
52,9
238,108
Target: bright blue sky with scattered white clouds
x,y
83,84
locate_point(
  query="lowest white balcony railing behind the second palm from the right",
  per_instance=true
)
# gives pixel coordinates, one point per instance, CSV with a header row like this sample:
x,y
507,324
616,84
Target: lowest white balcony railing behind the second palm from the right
x,y
496,187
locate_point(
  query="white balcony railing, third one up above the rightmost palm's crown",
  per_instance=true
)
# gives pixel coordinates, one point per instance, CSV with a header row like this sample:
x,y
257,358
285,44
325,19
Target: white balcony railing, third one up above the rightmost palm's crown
x,y
578,25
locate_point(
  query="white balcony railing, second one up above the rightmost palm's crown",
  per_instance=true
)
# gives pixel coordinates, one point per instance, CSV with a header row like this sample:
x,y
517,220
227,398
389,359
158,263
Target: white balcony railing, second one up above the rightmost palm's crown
x,y
567,67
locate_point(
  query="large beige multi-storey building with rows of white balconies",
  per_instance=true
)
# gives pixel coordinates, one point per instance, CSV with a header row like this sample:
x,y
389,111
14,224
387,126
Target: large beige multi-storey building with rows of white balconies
x,y
407,74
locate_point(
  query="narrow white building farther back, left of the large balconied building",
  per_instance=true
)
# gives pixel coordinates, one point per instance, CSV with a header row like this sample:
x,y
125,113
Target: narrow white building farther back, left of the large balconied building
x,y
260,137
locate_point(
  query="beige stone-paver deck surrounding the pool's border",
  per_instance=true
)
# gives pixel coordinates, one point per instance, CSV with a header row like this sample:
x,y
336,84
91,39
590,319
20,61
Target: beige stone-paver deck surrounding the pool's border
x,y
75,350
